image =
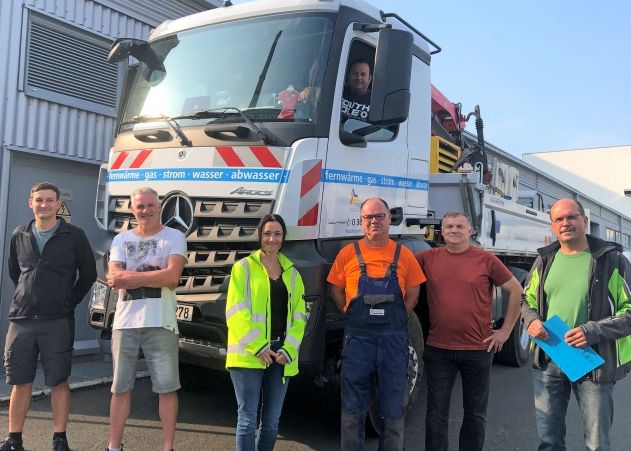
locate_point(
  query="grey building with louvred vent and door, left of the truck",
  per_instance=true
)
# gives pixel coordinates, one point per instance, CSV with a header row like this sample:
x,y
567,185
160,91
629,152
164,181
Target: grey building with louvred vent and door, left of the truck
x,y
59,106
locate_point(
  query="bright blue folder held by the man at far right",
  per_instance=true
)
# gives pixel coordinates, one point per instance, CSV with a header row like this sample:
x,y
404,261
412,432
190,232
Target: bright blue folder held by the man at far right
x,y
574,362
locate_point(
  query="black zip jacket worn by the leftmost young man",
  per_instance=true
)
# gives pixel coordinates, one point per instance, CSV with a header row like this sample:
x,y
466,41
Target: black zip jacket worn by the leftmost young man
x,y
46,284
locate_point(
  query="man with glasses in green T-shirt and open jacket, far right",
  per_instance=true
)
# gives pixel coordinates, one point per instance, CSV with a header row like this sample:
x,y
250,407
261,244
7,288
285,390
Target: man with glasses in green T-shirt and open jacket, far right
x,y
585,281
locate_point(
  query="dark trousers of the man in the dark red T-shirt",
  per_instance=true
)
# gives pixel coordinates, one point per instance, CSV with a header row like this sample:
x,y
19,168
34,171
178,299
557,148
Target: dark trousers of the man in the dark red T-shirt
x,y
441,367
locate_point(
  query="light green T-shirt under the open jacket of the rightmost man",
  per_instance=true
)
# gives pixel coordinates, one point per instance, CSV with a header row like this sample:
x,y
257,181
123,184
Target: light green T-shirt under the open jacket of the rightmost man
x,y
567,287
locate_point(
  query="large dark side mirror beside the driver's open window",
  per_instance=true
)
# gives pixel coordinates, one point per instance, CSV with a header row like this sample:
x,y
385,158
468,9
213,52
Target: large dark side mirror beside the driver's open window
x,y
390,99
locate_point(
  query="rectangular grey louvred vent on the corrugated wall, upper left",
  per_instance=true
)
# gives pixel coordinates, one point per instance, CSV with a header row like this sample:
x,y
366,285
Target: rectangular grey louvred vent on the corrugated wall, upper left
x,y
67,65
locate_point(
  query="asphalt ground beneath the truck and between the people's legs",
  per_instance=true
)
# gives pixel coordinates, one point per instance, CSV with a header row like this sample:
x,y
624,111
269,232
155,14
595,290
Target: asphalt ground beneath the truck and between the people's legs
x,y
310,419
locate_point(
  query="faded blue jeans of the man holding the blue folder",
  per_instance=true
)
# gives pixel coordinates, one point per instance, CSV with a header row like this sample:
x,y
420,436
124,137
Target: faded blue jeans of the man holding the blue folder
x,y
552,394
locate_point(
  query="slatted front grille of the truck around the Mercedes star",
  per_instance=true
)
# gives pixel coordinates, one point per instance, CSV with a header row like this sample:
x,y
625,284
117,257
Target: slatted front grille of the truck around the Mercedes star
x,y
223,231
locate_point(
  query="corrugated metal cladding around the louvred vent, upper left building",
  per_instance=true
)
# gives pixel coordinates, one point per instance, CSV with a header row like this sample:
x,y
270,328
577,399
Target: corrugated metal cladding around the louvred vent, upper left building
x,y
38,125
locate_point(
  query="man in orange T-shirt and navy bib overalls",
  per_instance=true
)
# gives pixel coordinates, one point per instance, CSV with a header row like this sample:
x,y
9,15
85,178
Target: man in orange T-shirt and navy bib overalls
x,y
376,282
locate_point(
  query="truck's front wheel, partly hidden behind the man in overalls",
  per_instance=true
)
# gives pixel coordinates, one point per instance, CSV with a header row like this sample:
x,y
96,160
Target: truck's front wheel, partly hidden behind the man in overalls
x,y
415,372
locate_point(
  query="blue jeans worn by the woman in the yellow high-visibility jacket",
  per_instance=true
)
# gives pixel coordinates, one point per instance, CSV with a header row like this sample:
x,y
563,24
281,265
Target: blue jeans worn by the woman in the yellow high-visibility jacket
x,y
248,384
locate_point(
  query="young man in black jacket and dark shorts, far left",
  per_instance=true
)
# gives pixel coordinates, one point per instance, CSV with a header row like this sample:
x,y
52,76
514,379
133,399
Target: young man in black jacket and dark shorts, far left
x,y
52,266
